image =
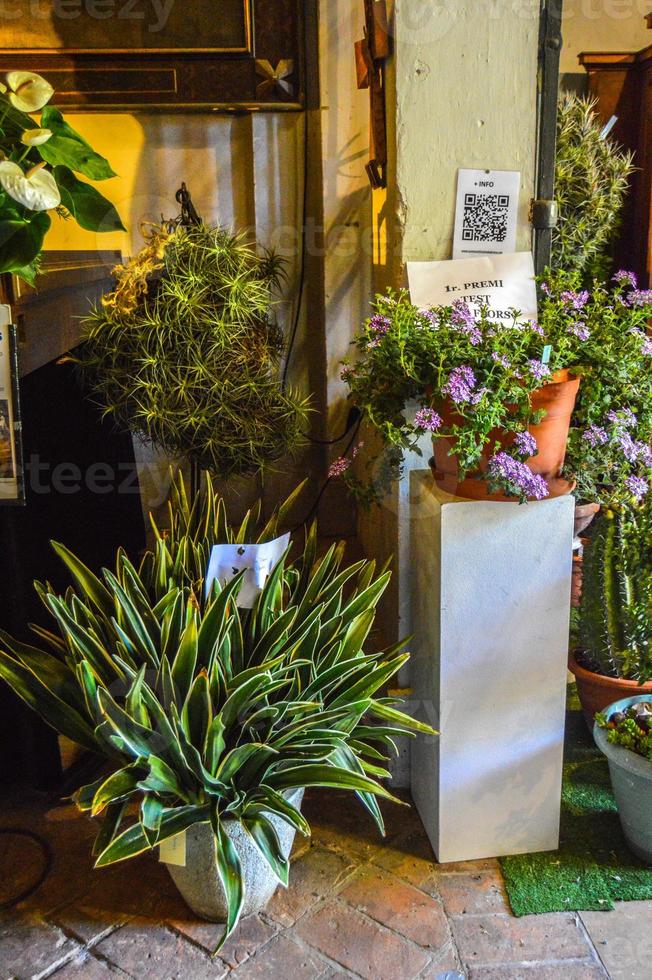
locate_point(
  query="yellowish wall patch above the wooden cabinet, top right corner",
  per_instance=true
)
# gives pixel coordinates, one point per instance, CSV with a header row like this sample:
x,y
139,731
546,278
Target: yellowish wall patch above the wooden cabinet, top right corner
x,y
603,25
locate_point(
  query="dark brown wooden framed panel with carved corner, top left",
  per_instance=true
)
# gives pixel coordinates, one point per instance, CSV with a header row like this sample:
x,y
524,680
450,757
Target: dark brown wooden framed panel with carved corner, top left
x,y
160,54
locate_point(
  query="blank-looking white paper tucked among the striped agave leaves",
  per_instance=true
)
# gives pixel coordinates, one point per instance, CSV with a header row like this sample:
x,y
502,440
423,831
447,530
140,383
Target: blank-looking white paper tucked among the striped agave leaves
x,y
227,560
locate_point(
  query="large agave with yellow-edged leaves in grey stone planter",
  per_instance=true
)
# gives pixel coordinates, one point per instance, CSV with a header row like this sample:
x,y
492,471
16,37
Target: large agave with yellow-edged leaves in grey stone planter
x,y
212,719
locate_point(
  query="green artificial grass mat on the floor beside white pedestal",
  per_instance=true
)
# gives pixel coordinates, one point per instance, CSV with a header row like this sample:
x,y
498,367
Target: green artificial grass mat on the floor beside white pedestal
x,y
593,867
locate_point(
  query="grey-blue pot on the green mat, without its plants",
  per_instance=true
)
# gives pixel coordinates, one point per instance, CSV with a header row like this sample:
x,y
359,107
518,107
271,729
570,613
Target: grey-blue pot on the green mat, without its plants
x,y
631,779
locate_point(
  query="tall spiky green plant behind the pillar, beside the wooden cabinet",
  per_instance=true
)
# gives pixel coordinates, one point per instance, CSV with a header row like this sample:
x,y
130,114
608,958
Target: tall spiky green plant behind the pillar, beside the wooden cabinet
x,y
592,180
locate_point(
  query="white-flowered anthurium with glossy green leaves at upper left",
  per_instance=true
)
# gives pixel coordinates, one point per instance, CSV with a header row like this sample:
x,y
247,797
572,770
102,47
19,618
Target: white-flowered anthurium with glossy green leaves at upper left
x,y
39,166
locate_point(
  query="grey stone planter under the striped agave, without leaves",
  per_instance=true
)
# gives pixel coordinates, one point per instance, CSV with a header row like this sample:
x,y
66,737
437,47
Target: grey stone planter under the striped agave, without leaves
x,y
199,882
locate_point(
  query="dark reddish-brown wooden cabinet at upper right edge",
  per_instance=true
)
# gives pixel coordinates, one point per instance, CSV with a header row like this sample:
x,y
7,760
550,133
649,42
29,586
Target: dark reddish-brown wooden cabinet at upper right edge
x,y
622,85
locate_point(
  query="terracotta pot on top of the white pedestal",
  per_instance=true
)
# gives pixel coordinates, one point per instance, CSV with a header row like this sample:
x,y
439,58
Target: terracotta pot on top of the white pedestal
x,y
557,399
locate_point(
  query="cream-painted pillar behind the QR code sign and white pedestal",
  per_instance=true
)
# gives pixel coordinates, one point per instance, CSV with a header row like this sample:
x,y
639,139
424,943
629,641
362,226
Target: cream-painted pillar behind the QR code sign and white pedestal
x,y
465,96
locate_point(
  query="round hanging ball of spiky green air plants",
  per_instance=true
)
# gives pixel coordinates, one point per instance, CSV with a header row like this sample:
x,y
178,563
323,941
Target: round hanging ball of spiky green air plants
x,y
186,353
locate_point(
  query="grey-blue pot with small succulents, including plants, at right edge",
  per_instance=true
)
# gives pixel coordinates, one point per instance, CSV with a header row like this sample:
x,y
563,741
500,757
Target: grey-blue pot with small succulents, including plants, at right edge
x,y
623,732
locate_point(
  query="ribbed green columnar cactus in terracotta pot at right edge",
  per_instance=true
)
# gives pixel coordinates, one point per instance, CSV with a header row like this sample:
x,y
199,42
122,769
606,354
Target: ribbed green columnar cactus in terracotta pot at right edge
x,y
616,609
